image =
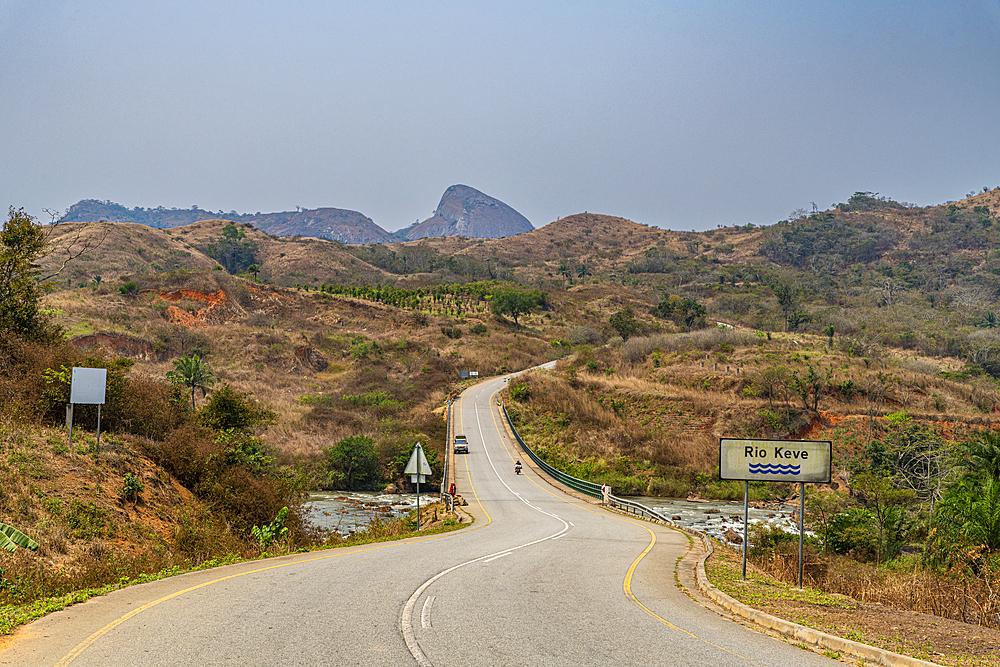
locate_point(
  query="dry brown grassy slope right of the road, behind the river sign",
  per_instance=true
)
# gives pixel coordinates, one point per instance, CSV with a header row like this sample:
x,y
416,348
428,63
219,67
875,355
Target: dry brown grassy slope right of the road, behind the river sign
x,y
654,412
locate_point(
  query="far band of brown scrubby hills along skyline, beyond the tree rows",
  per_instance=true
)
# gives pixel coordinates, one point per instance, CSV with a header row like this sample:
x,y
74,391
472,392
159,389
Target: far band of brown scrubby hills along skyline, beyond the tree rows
x,y
915,278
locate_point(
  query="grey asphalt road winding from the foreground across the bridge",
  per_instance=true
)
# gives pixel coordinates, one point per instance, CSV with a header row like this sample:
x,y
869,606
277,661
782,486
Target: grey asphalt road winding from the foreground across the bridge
x,y
539,579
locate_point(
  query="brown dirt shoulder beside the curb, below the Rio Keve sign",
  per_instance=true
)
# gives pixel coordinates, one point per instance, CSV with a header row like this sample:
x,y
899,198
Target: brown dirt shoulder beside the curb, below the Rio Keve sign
x,y
932,638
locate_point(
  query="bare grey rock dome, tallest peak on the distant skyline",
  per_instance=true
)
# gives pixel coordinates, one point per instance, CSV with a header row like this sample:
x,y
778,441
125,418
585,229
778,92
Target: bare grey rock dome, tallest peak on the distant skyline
x,y
465,211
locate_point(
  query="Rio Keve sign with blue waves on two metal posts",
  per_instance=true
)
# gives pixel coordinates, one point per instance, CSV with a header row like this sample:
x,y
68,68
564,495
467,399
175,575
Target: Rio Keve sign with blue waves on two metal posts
x,y
775,461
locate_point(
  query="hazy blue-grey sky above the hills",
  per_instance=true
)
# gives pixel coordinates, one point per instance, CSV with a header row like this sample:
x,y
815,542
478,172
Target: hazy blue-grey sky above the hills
x,y
683,115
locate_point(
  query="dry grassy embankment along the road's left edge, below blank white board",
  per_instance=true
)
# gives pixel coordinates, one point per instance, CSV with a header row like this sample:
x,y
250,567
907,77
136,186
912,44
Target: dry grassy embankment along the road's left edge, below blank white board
x,y
95,536
